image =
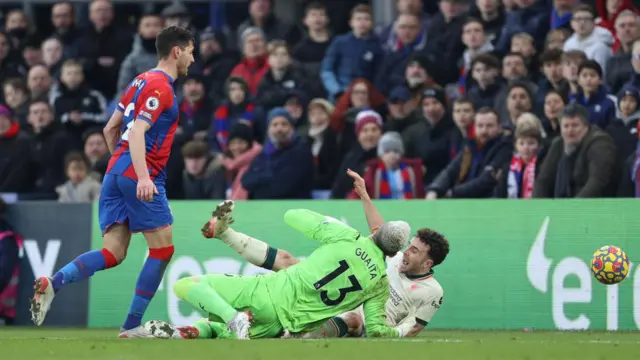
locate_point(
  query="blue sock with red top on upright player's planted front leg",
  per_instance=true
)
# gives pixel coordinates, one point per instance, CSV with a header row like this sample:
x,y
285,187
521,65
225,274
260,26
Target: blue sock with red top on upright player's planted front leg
x,y
147,284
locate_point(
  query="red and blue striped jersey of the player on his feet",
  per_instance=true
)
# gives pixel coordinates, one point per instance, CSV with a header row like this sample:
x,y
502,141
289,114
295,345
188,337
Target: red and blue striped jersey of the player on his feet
x,y
149,97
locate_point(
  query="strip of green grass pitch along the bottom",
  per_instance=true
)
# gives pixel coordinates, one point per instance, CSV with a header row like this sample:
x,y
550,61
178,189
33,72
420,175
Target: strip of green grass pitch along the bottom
x,y
98,344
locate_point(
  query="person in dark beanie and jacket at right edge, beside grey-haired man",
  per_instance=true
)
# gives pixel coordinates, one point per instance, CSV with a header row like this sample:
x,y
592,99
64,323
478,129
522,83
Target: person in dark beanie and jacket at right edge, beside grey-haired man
x,y
624,129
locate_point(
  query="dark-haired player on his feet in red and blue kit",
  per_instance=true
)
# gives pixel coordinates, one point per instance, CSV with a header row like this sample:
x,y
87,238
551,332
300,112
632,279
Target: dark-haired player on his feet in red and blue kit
x,y
139,135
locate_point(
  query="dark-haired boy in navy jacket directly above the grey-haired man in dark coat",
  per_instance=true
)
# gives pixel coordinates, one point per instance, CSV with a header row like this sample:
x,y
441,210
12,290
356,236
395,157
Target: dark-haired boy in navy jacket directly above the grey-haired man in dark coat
x,y
594,95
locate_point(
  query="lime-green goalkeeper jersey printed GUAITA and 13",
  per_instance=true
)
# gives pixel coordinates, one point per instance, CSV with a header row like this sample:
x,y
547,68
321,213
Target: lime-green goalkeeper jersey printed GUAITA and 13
x,y
347,270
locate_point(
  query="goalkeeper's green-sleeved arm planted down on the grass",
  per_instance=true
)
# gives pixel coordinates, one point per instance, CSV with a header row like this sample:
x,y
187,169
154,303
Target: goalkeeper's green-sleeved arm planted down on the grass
x,y
375,325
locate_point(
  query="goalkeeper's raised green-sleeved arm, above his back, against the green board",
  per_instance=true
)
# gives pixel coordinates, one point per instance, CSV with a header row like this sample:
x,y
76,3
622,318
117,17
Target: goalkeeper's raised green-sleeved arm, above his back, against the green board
x,y
319,227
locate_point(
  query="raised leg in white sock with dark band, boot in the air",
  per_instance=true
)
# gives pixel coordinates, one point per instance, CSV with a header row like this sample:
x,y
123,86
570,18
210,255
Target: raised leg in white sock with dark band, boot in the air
x,y
255,251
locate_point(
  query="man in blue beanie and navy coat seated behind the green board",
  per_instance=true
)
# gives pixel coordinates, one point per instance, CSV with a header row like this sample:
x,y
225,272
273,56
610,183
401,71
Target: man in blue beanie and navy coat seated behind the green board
x,y
284,169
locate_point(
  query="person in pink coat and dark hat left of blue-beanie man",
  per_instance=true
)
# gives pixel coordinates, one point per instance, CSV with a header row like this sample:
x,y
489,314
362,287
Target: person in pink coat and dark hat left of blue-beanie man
x,y
242,150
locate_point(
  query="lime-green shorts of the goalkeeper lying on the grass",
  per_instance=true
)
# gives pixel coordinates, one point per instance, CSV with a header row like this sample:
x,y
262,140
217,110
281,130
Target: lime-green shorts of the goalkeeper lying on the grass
x,y
248,293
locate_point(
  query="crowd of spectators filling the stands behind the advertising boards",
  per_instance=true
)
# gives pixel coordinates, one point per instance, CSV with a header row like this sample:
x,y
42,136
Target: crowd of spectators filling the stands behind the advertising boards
x,y
485,98
